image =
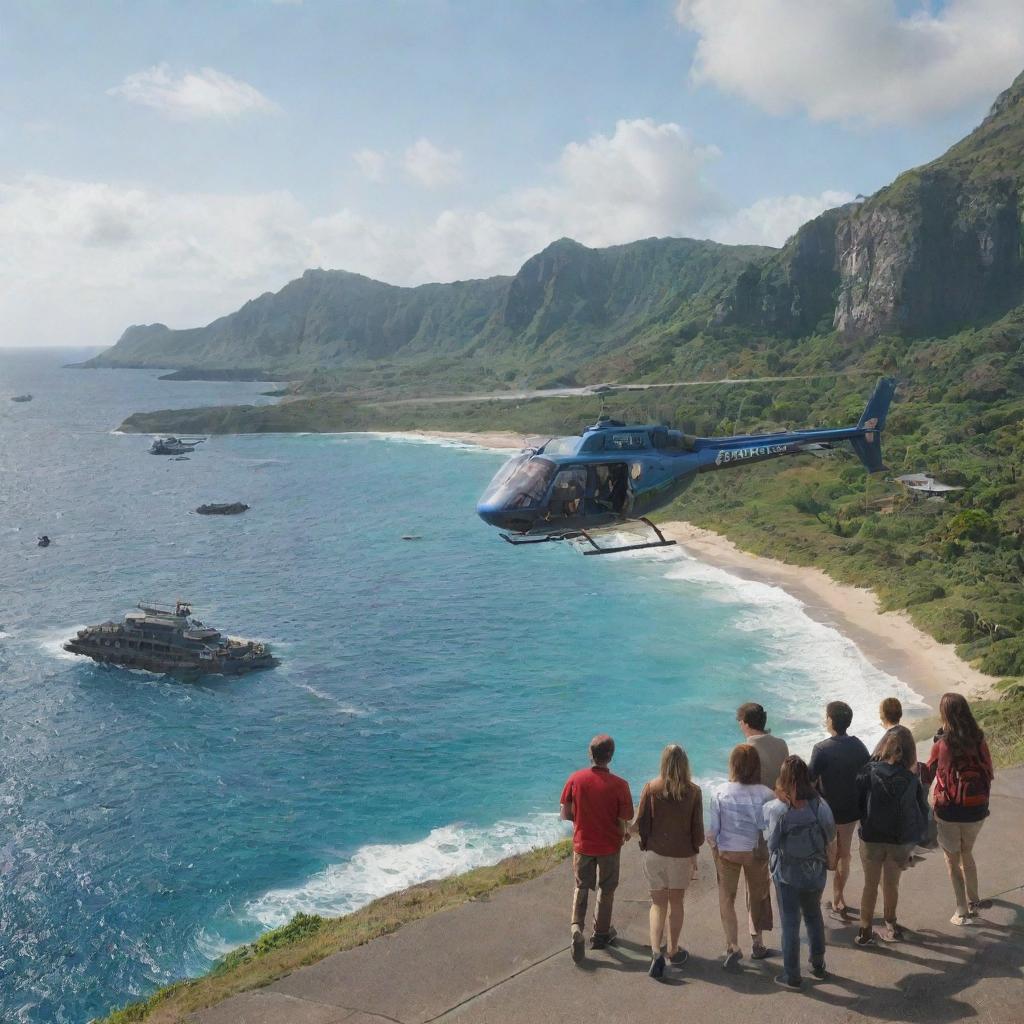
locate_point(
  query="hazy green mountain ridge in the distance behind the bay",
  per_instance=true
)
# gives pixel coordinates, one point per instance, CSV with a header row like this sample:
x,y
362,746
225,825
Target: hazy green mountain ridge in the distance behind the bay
x,y
567,304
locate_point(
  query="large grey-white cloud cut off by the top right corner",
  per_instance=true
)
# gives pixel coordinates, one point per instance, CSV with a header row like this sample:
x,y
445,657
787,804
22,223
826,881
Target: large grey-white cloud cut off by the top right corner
x,y
857,61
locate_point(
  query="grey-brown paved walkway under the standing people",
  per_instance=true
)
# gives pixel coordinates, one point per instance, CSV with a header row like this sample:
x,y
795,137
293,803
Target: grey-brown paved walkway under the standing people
x,y
506,961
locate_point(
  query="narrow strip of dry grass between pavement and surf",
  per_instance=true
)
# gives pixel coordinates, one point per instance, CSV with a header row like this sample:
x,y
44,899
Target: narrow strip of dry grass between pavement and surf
x,y
308,938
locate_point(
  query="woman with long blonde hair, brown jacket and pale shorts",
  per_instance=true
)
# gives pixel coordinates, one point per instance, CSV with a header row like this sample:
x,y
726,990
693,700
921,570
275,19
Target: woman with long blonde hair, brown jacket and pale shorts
x,y
670,823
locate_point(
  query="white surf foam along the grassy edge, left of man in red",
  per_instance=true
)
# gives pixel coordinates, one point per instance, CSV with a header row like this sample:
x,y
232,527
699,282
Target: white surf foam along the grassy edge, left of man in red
x,y
379,870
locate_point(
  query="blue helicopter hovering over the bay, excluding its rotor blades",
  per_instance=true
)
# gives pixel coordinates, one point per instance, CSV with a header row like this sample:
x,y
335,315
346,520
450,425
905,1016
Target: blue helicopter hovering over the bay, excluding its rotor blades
x,y
616,474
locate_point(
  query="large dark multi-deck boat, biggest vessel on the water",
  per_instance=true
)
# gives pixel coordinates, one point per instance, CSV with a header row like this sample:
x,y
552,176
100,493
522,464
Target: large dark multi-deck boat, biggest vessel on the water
x,y
169,642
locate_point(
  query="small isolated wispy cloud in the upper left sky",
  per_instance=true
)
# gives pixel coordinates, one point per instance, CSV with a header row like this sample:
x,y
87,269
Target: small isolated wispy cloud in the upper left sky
x,y
193,96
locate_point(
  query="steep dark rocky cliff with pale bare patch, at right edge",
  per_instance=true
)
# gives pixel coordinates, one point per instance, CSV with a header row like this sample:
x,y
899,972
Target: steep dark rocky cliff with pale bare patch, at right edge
x,y
936,250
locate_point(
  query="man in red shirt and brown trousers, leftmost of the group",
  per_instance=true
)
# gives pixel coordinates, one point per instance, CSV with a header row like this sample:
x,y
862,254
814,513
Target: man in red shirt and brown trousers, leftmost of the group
x,y
601,807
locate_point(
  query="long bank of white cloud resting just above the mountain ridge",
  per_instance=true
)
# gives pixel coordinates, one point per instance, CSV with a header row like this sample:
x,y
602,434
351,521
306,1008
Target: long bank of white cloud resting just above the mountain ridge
x,y
79,262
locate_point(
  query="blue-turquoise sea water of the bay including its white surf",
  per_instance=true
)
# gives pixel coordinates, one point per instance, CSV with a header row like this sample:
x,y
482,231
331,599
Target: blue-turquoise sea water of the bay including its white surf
x,y
433,695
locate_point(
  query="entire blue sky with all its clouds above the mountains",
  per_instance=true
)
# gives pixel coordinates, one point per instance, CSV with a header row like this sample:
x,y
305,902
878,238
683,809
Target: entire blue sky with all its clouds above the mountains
x,y
165,162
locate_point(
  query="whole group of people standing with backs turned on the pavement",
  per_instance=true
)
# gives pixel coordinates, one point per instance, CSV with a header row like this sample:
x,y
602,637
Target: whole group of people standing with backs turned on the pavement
x,y
785,824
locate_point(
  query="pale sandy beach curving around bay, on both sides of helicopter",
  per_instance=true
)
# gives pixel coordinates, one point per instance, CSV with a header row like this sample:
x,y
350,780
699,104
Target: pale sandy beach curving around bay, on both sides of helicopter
x,y
888,639
